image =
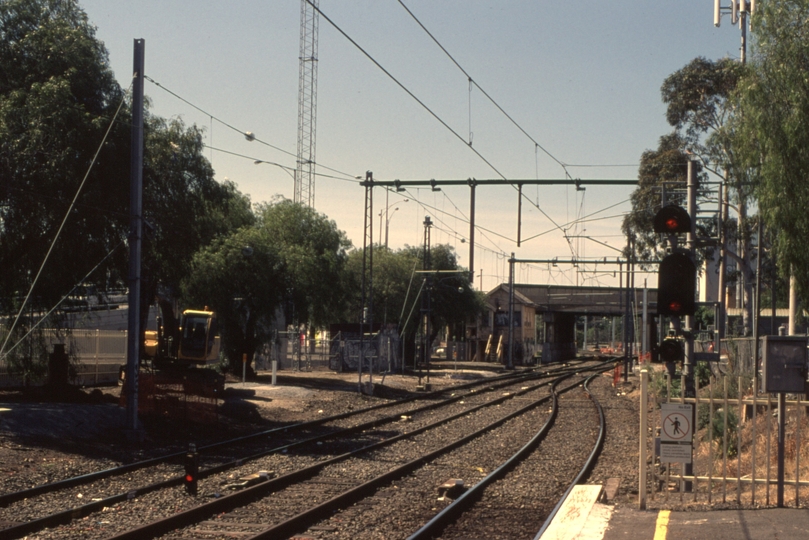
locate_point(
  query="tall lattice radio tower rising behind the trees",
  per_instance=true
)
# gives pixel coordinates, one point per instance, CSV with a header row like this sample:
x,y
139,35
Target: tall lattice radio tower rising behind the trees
x,y
307,105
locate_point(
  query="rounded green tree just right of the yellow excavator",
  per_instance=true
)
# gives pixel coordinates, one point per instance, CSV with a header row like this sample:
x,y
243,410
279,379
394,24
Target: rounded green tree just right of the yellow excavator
x,y
290,262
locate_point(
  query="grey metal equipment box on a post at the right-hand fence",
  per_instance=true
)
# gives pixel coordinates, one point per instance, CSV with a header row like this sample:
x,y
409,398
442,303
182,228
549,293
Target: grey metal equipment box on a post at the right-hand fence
x,y
783,364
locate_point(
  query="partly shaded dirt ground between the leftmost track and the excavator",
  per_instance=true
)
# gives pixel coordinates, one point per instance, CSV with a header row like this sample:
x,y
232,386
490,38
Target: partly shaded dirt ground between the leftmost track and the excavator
x,y
90,422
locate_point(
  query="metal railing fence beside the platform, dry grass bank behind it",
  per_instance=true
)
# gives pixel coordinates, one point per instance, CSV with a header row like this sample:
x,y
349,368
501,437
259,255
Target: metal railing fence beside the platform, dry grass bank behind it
x,y
734,443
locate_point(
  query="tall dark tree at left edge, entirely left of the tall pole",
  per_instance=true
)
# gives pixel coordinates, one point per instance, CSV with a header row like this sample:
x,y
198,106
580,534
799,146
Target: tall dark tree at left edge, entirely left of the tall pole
x,y
57,98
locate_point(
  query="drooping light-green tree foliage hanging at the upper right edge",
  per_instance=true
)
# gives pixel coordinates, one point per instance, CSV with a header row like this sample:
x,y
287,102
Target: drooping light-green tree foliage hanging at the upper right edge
x,y
772,129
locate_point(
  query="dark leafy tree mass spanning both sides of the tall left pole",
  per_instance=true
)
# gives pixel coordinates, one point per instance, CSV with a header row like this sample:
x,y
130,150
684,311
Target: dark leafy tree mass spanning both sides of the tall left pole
x,y
58,99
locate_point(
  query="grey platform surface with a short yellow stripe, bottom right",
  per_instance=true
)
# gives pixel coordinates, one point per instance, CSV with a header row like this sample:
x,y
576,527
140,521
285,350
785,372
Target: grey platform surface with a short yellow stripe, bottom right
x,y
764,524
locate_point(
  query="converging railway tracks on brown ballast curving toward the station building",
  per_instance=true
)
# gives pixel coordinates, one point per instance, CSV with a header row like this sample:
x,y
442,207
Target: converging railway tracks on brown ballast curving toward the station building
x,y
438,464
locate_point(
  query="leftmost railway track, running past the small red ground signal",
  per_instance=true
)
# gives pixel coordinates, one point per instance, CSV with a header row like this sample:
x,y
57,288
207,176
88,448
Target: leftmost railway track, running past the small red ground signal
x,y
312,443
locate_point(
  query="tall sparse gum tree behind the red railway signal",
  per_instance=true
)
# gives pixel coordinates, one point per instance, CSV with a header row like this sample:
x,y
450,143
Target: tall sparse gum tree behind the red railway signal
x,y
702,107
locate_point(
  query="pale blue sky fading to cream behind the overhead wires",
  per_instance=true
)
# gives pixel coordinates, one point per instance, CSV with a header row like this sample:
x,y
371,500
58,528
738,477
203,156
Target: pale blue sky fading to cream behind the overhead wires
x,y
581,79
